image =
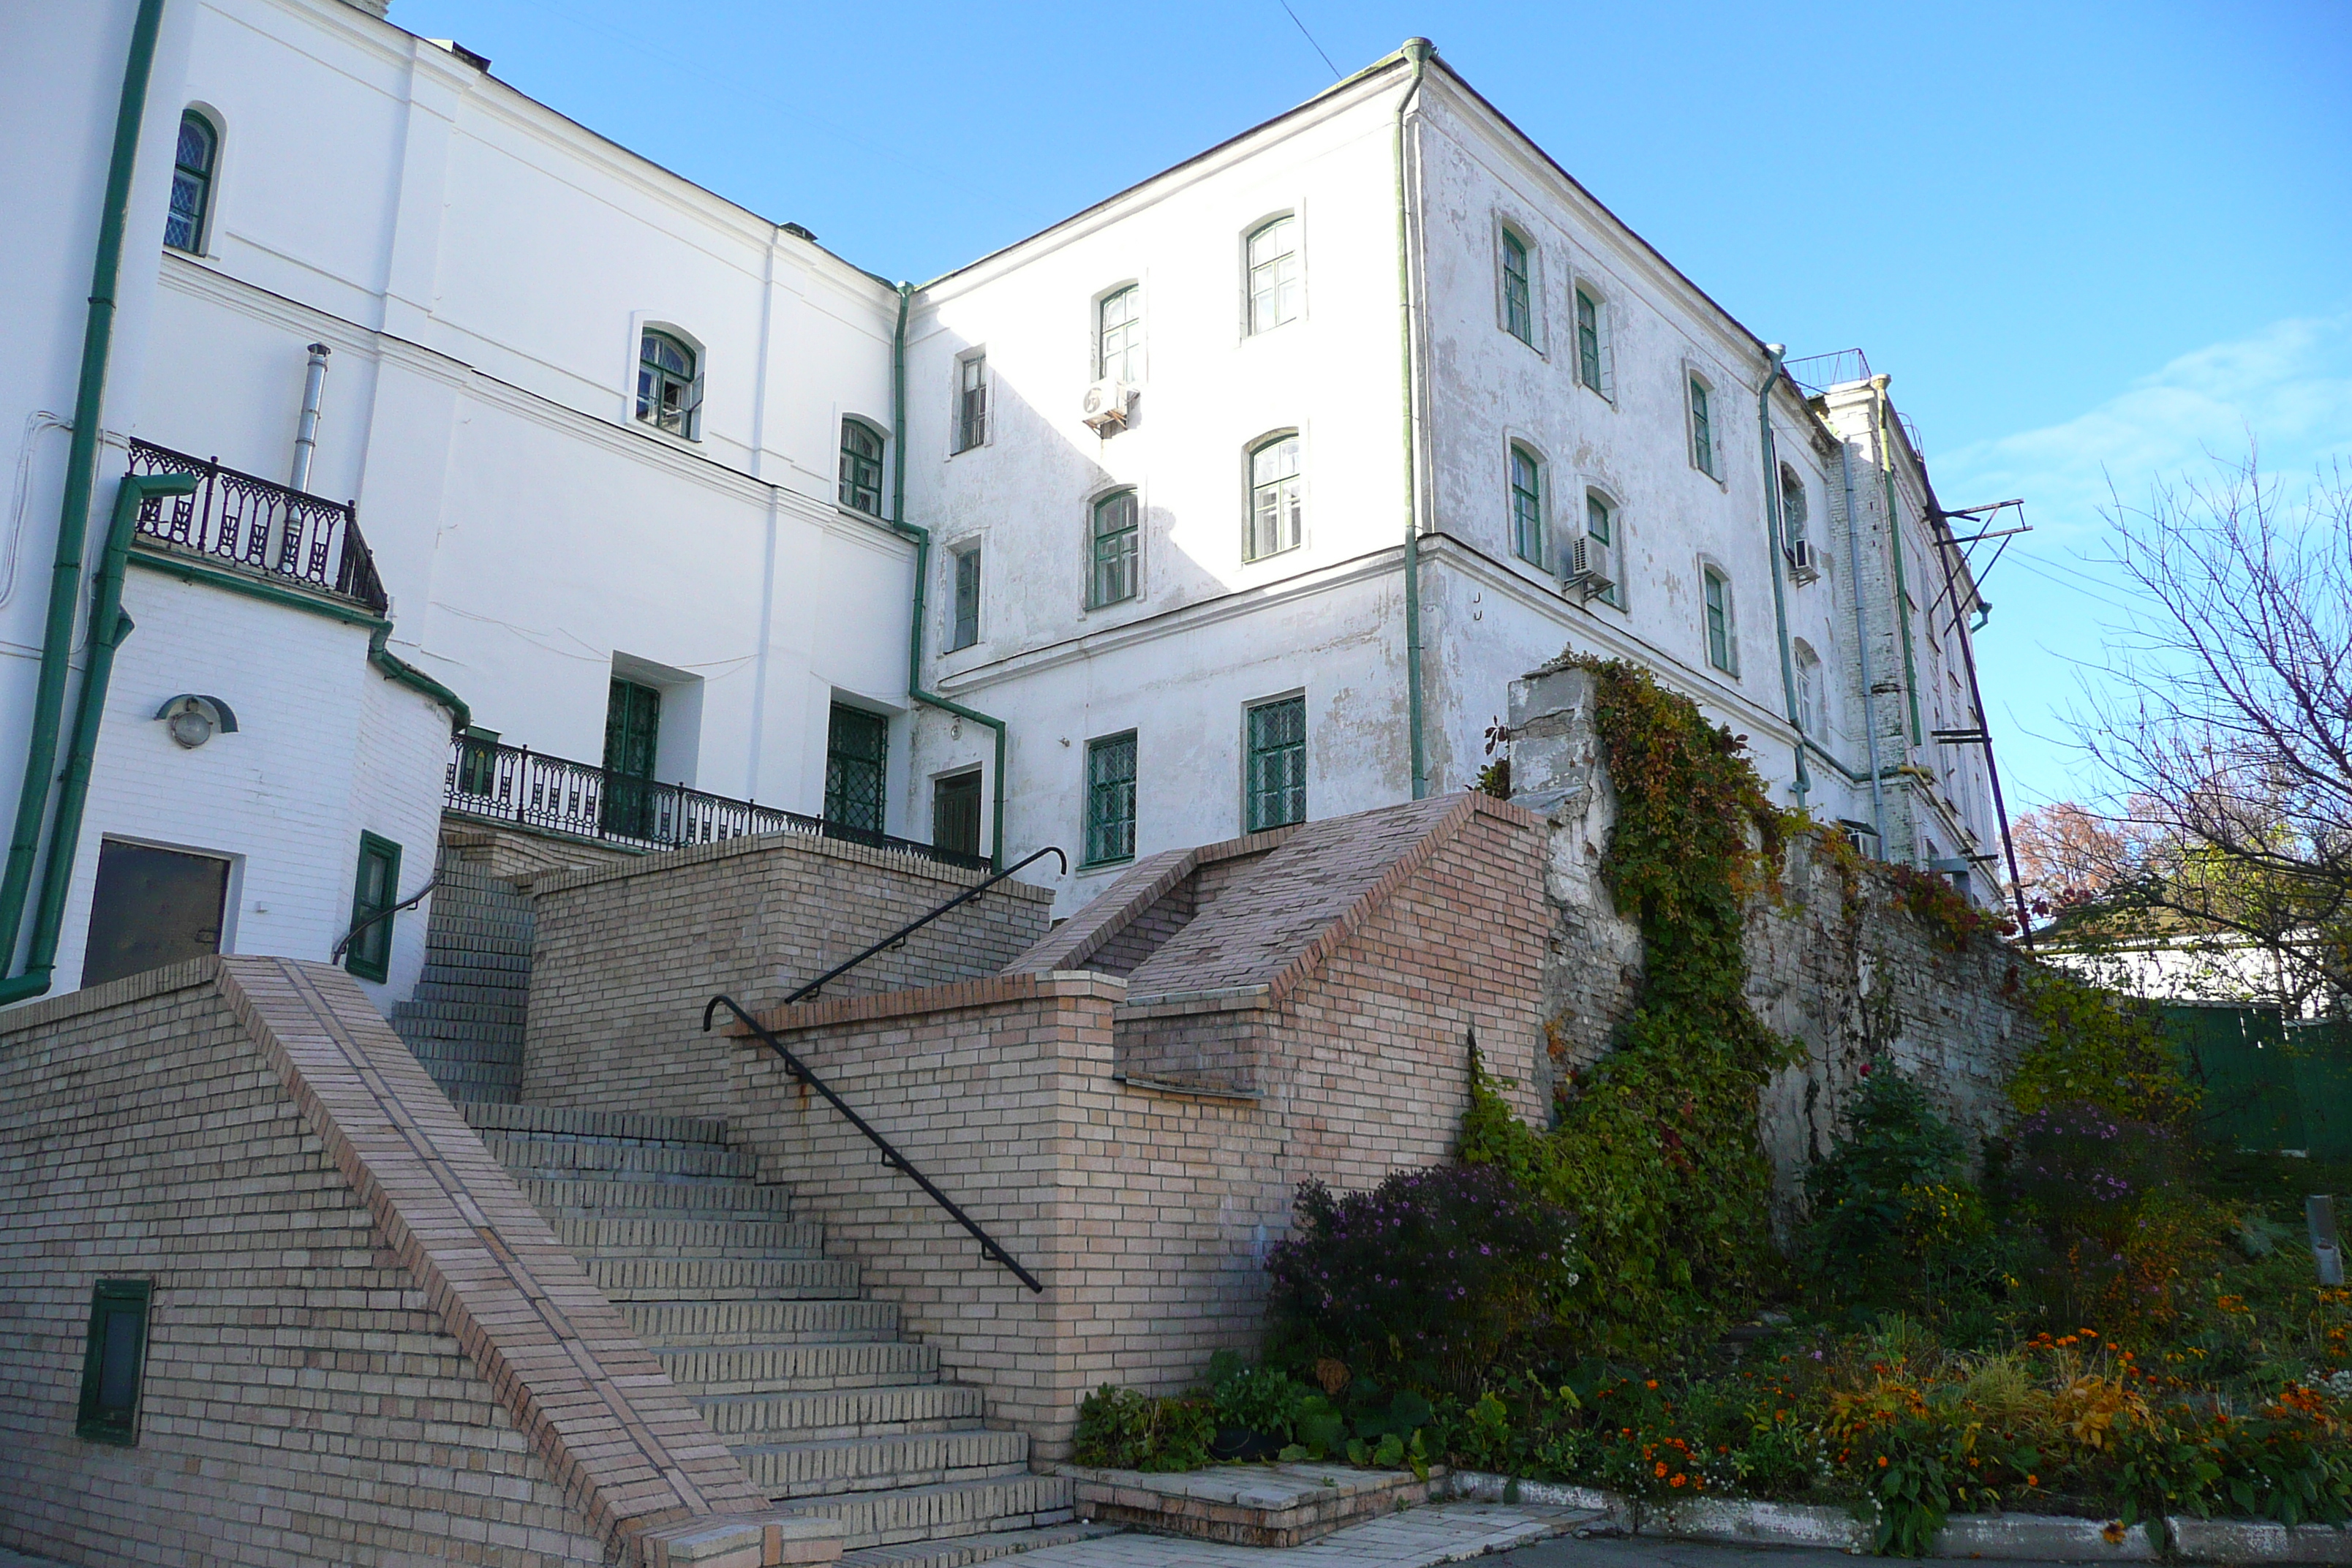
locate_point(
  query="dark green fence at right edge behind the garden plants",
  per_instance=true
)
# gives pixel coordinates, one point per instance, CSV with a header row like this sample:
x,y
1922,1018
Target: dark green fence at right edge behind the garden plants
x,y
2269,1083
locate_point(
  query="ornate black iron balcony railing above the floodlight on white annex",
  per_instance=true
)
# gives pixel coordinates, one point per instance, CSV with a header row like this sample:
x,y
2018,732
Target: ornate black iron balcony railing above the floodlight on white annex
x,y
260,528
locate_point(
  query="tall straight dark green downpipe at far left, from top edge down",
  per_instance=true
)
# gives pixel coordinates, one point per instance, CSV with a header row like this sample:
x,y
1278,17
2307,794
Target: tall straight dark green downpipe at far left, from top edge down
x,y
81,478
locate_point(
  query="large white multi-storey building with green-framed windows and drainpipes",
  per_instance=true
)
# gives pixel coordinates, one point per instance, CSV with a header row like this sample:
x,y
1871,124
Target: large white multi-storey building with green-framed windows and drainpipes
x,y
624,488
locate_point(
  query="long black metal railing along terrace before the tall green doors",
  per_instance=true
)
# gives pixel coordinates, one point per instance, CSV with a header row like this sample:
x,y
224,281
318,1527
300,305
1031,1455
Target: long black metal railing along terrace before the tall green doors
x,y
514,784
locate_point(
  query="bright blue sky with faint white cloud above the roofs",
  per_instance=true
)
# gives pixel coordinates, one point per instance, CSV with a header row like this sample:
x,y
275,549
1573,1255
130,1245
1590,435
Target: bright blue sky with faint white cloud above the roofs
x,y
2090,241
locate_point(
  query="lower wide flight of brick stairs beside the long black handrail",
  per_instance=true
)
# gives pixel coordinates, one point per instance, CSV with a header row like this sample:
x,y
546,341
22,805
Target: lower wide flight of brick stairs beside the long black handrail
x,y
799,1374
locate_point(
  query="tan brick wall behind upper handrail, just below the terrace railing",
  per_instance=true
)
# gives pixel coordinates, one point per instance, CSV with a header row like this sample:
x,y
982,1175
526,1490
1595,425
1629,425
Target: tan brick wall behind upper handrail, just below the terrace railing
x,y
627,956
